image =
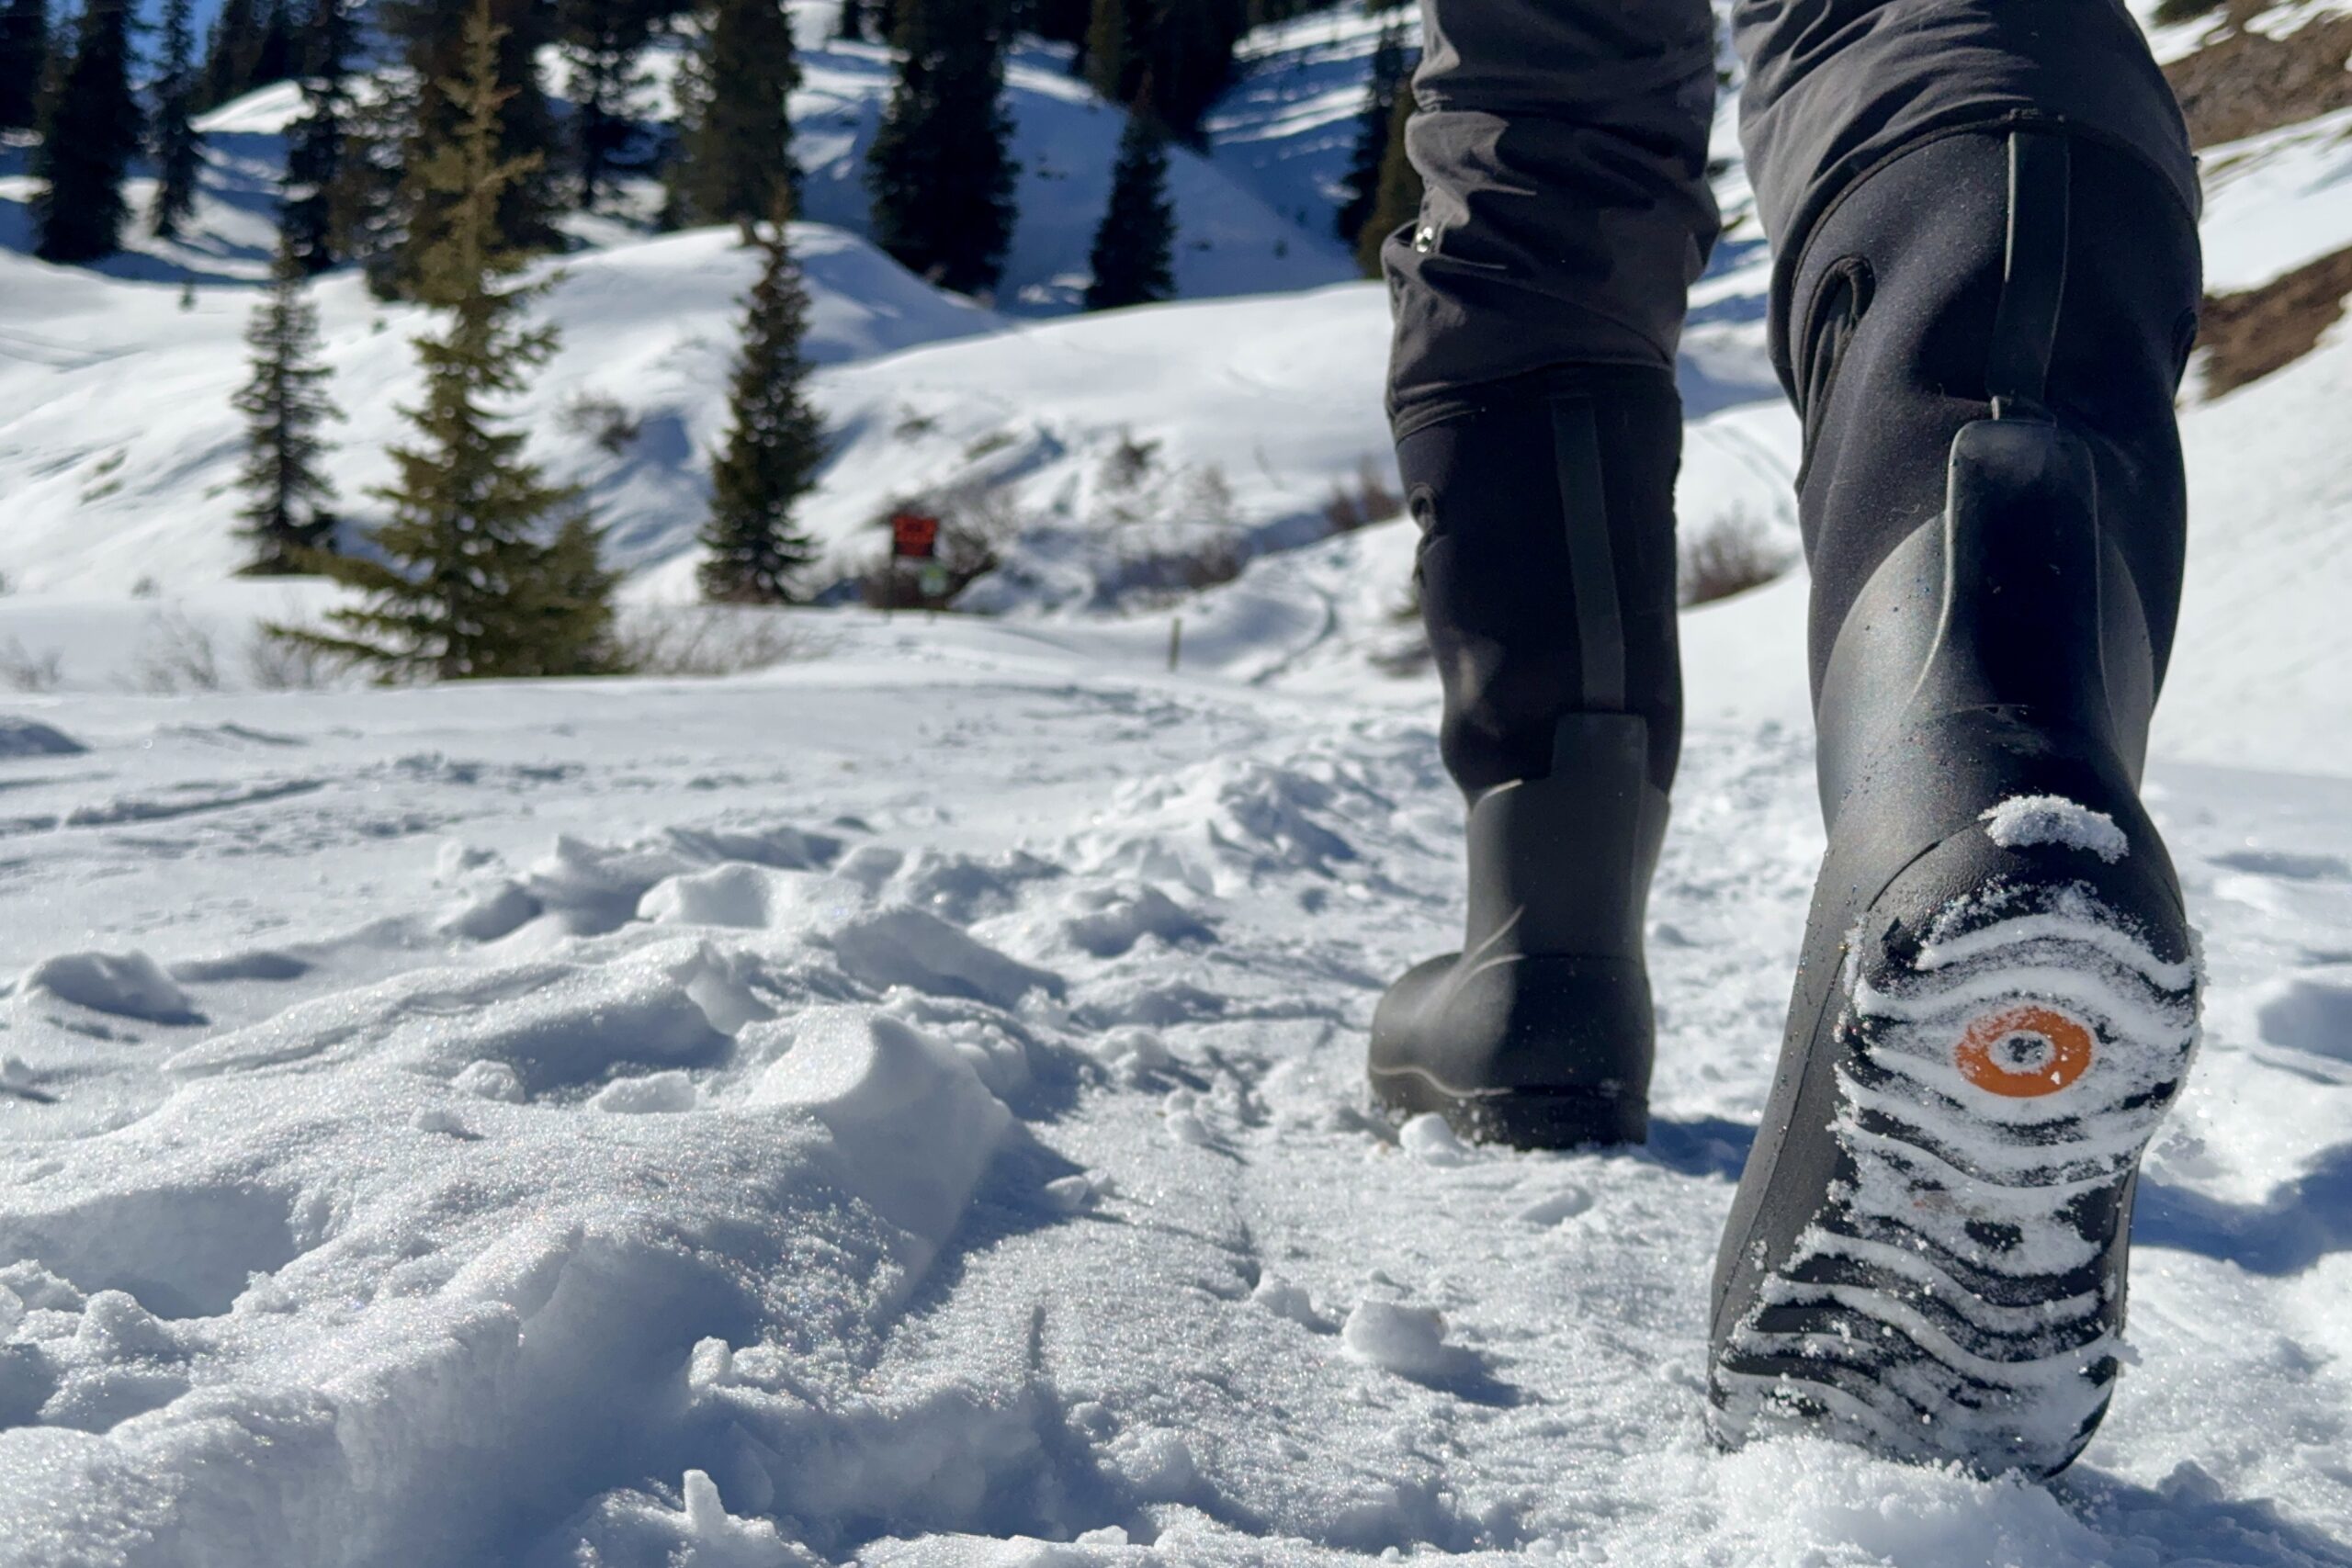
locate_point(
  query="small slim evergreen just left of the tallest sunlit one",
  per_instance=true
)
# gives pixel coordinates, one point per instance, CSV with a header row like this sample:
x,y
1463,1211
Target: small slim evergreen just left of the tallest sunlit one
x,y
283,406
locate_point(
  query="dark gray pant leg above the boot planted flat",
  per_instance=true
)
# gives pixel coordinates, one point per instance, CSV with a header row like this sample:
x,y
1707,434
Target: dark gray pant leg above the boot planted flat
x,y
1563,147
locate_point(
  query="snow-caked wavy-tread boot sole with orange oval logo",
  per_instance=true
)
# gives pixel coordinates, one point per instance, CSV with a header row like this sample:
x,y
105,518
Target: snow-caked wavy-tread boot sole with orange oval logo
x,y
1958,1296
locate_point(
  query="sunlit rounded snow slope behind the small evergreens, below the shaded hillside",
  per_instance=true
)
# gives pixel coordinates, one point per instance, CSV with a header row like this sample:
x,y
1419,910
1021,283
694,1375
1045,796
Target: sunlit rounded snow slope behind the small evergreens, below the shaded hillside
x,y
119,450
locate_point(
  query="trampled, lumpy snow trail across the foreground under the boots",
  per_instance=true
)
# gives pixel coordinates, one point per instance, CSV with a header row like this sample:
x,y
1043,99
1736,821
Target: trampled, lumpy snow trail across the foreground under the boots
x,y
907,1108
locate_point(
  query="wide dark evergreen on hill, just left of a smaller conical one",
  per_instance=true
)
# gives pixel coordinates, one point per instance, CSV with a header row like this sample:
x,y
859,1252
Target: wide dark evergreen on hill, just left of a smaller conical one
x,y
940,170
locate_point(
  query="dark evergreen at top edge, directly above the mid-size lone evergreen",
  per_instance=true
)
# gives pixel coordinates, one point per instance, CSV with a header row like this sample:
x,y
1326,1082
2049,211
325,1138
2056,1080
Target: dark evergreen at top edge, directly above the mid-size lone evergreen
x,y
735,114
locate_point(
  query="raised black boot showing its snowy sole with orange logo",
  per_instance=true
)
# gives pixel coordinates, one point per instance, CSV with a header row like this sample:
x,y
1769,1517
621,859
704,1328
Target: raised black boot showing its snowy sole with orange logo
x,y
1998,996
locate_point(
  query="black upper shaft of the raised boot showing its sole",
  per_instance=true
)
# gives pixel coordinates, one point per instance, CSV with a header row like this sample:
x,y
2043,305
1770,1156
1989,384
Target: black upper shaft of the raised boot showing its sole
x,y
2040,279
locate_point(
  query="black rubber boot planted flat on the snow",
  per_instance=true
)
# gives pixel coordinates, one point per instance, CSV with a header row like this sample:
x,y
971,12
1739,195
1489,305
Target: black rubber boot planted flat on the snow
x,y
1549,587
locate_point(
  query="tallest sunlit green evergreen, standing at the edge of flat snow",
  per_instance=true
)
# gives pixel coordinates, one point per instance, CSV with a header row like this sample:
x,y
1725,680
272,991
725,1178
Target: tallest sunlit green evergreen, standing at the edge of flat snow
x,y
486,568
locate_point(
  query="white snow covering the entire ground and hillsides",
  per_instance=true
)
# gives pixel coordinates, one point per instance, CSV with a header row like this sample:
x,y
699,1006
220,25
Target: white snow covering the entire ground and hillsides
x,y
907,1106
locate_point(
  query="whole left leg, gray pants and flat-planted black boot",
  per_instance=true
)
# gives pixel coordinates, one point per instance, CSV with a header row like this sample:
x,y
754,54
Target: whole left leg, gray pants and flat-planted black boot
x,y
1539,304
